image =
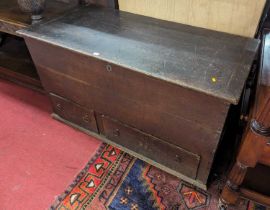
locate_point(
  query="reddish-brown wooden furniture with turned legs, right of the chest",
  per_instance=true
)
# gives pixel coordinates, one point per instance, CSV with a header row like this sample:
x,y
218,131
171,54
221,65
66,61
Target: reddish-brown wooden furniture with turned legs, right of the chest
x,y
250,175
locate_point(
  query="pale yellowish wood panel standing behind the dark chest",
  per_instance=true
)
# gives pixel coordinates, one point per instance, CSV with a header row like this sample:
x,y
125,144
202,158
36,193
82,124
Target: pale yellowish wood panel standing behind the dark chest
x,y
240,17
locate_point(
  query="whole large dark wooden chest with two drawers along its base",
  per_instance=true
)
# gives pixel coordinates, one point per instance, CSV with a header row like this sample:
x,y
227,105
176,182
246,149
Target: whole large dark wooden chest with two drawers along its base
x,y
156,89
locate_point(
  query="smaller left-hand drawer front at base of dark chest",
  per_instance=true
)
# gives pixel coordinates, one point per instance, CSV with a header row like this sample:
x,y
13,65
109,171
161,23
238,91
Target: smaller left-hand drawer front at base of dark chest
x,y
74,113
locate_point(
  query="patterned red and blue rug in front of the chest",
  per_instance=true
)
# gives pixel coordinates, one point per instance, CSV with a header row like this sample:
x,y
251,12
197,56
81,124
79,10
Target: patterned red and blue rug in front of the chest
x,y
115,180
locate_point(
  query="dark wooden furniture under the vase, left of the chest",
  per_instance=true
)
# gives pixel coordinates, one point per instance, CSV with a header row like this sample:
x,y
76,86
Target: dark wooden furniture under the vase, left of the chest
x,y
15,61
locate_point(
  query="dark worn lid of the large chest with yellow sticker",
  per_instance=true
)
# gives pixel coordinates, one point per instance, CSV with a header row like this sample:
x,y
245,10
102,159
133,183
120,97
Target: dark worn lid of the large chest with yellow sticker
x,y
207,61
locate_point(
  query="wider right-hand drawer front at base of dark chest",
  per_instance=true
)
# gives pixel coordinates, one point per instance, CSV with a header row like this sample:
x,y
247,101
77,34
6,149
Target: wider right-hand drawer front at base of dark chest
x,y
151,147
